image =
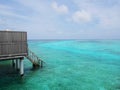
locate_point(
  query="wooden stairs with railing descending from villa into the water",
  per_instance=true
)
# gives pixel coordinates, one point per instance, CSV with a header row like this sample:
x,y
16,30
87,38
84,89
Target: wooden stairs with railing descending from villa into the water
x,y
34,59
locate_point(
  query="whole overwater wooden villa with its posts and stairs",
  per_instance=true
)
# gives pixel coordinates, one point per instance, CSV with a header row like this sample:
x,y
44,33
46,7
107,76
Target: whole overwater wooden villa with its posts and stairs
x,y
14,47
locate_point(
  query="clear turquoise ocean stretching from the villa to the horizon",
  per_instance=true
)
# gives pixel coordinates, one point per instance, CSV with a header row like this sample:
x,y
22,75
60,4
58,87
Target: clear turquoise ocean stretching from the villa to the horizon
x,y
69,65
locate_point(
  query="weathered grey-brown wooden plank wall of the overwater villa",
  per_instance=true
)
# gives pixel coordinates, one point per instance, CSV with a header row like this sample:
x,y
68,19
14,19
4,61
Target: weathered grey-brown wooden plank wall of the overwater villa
x,y
13,43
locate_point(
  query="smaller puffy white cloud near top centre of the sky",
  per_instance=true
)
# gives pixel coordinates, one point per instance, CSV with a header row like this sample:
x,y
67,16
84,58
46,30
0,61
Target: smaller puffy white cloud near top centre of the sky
x,y
62,9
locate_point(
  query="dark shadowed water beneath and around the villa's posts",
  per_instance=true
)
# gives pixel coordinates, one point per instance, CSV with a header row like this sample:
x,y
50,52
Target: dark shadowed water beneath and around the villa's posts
x,y
9,76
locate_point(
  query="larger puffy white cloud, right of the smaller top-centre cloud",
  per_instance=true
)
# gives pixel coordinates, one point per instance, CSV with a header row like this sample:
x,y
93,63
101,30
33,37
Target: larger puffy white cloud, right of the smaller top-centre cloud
x,y
81,16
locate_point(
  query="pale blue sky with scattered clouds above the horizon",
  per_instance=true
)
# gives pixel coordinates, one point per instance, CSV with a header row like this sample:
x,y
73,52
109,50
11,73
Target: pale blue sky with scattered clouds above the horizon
x,y
62,19
